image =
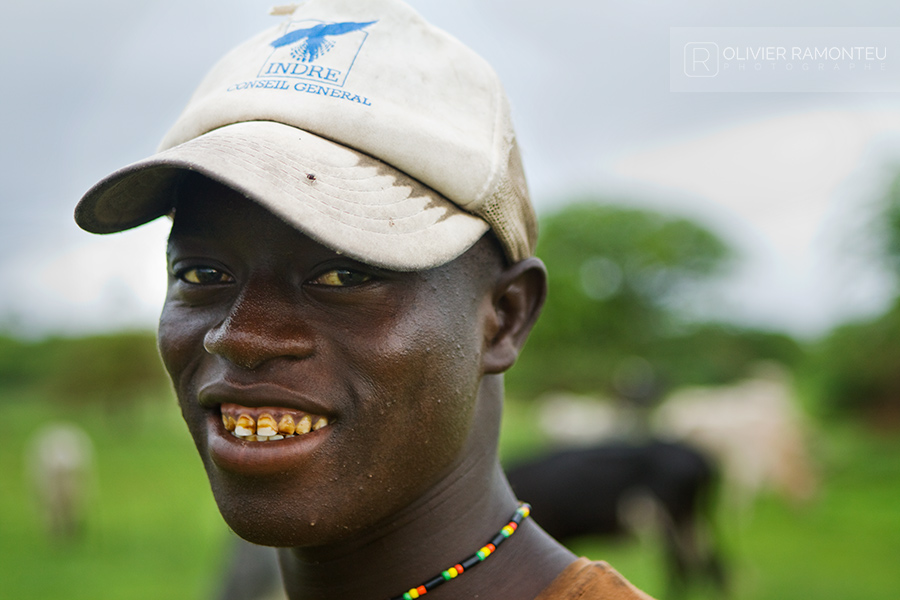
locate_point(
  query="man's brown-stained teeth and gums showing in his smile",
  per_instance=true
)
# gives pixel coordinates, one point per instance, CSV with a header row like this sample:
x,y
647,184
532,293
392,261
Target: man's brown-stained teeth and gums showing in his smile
x,y
268,424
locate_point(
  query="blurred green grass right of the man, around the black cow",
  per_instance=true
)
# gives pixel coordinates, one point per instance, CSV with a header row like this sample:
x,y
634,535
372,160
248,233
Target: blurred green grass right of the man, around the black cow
x,y
843,546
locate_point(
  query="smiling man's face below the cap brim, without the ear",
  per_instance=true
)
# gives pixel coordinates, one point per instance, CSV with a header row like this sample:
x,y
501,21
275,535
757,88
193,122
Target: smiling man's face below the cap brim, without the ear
x,y
264,320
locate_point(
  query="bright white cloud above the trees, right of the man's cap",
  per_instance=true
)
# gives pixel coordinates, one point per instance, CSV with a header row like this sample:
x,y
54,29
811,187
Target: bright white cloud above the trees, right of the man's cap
x,y
778,179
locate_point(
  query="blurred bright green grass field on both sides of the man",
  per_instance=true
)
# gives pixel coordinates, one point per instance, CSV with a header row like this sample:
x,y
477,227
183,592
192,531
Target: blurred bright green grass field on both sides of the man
x,y
154,532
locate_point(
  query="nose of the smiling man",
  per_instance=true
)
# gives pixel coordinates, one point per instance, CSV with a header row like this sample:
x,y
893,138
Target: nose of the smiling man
x,y
260,326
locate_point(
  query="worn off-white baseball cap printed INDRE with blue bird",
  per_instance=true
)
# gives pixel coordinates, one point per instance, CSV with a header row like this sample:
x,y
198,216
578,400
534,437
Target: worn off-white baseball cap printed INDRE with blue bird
x,y
355,121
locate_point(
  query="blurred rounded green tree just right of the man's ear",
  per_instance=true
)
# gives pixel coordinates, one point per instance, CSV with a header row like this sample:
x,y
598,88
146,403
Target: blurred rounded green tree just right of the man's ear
x,y
615,276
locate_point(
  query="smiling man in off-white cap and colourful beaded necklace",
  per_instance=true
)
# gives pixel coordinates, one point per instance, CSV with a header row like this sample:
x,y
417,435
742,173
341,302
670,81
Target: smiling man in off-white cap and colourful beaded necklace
x,y
351,271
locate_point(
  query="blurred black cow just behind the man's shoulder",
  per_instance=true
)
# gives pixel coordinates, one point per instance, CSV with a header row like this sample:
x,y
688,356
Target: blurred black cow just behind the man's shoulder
x,y
590,491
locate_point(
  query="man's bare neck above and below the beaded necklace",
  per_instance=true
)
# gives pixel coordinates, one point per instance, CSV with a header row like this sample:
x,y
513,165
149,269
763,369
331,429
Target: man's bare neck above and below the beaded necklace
x,y
454,519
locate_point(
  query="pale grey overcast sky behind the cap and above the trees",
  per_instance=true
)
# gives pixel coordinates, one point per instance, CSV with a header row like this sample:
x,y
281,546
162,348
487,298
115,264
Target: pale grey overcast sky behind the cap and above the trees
x,y
787,178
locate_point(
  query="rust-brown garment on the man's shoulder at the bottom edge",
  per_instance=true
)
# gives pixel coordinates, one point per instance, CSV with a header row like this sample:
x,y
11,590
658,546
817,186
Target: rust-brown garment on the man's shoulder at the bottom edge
x,y
586,580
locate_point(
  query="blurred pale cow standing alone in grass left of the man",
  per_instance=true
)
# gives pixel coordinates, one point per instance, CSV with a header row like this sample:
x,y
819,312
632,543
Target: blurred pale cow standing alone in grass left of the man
x,y
60,464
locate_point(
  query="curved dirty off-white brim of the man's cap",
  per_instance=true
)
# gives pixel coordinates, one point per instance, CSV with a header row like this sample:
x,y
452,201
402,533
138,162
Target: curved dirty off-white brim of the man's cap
x,y
346,200
